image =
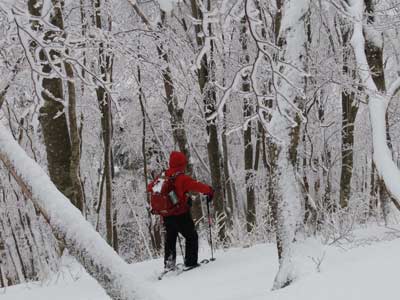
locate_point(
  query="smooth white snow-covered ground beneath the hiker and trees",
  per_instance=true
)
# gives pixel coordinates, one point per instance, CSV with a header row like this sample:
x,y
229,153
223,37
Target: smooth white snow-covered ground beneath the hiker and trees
x,y
364,269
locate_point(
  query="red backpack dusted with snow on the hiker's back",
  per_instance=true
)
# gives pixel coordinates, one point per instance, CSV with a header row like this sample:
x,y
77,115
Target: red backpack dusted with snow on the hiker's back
x,y
163,199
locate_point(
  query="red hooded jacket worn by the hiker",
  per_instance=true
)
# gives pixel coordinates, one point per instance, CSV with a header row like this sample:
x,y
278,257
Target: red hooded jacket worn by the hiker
x,y
183,182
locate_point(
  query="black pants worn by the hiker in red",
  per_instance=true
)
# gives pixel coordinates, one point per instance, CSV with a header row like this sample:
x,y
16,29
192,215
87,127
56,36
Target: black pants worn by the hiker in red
x,y
184,225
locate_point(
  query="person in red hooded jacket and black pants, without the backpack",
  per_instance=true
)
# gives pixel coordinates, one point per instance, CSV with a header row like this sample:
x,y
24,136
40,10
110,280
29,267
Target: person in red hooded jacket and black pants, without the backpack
x,y
180,221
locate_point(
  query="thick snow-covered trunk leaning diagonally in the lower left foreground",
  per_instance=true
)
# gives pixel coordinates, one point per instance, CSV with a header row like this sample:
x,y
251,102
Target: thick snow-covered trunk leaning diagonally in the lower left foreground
x,y
69,226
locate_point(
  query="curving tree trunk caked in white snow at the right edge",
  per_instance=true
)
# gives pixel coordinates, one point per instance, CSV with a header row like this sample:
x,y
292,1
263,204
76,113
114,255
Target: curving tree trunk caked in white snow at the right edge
x,y
368,50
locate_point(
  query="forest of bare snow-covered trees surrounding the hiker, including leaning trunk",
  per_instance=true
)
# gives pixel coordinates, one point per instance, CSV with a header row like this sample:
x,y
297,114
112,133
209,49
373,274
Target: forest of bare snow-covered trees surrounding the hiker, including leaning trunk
x,y
289,109
